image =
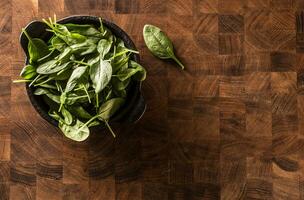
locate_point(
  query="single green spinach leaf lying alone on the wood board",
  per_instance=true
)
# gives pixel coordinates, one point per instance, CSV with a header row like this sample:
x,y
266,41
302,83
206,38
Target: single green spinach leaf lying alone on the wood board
x,y
159,44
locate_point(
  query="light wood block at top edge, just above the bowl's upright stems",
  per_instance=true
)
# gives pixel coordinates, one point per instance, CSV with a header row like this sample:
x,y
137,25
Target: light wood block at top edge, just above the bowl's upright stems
x,y
51,5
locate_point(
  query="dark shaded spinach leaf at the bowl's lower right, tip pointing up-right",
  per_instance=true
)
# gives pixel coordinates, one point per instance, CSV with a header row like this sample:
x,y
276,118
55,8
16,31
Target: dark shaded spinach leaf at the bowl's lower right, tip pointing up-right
x,y
109,108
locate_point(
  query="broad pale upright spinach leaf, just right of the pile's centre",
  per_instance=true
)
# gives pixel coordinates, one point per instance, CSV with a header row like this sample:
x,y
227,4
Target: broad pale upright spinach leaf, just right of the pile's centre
x,y
100,74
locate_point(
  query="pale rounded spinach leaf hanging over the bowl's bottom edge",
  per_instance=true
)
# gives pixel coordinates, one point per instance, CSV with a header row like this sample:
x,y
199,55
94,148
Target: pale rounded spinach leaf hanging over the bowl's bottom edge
x,y
77,132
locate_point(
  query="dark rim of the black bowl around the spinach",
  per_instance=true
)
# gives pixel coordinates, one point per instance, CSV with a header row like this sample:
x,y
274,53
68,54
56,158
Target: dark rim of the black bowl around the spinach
x,y
129,43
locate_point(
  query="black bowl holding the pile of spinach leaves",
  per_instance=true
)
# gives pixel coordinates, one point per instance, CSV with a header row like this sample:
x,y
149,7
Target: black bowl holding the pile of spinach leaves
x,y
135,104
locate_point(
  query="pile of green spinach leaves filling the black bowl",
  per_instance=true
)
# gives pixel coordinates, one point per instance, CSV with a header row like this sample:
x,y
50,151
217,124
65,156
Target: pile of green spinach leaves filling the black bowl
x,y
82,73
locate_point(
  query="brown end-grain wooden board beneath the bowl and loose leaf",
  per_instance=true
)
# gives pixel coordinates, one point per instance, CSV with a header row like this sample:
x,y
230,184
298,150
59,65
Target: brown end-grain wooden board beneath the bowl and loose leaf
x,y
231,126
